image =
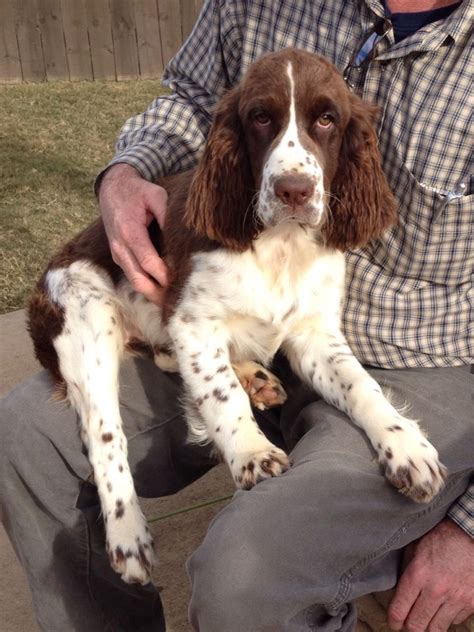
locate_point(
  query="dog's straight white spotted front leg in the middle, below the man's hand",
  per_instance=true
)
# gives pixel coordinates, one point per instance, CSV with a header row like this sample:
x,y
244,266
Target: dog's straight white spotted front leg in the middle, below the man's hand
x,y
218,409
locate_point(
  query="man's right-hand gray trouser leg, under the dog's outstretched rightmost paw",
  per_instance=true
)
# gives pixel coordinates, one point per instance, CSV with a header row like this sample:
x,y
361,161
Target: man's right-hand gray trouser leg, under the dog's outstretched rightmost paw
x,y
331,528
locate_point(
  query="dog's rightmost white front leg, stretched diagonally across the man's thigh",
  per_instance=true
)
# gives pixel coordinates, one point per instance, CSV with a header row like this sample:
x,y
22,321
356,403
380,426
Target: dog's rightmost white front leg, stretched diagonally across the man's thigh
x,y
325,361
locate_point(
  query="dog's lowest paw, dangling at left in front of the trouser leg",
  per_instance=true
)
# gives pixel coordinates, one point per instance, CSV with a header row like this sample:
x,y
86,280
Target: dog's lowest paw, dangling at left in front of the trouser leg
x,y
129,544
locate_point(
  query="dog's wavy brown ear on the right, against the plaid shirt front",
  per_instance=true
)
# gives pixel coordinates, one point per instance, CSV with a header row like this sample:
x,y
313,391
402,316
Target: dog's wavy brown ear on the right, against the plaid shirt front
x,y
362,204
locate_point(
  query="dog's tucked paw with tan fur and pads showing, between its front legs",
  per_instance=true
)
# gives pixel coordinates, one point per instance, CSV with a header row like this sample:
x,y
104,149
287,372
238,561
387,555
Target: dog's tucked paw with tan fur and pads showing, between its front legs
x,y
264,389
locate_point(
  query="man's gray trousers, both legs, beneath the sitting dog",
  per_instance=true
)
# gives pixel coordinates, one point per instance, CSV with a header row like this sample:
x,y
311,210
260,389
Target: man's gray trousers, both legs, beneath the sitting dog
x,y
291,554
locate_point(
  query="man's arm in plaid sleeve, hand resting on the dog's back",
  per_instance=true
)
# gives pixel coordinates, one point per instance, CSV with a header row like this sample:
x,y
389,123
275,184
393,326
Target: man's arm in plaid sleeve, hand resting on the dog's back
x,y
165,139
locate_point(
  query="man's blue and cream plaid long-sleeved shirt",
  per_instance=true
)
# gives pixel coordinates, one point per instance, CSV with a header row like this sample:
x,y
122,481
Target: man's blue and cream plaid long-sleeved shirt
x,y
409,295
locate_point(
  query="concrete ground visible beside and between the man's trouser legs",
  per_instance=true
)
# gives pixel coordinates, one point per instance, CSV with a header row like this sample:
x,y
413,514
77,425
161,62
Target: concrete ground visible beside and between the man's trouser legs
x,y
176,537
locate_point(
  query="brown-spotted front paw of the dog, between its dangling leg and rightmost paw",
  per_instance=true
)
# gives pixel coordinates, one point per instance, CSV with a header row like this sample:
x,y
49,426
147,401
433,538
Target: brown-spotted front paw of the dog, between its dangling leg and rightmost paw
x,y
252,468
